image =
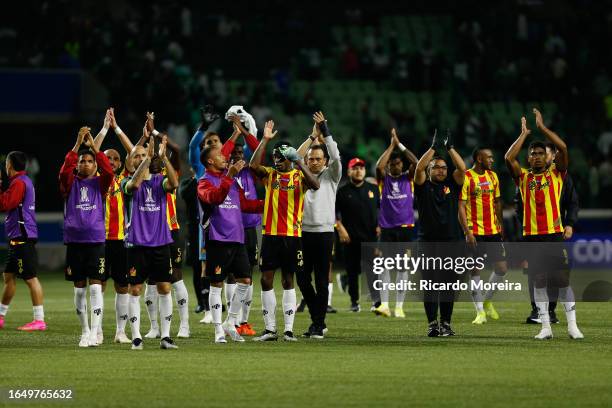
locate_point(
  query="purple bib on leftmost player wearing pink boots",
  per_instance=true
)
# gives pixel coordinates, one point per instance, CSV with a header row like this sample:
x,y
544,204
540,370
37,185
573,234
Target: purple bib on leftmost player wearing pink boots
x,y
21,221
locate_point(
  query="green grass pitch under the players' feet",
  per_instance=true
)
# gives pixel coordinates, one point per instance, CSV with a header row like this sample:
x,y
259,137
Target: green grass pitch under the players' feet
x,y
364,360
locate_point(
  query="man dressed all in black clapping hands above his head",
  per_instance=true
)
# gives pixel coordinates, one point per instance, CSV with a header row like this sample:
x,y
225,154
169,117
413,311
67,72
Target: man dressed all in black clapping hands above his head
x,y
437,197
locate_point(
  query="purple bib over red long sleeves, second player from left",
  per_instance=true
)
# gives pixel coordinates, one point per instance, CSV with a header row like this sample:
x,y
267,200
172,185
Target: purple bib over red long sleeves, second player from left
x,y
84,212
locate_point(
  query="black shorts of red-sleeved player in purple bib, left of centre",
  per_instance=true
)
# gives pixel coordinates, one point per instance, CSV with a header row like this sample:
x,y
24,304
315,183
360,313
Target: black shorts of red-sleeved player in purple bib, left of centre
x,y
225,258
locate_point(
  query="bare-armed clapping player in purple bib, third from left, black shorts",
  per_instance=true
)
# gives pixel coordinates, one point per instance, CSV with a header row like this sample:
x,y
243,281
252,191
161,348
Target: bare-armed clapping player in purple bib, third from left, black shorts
x,y
148,237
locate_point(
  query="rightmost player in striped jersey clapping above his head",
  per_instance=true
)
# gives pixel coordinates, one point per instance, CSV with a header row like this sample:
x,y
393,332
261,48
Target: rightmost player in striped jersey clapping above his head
x,y
541,190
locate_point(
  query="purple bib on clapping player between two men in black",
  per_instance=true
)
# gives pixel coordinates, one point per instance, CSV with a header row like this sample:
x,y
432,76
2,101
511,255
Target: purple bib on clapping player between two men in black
x,y
396,202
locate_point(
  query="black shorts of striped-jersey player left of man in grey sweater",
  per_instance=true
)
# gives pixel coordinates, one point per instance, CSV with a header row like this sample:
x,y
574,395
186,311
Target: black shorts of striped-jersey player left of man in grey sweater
x,y
281,252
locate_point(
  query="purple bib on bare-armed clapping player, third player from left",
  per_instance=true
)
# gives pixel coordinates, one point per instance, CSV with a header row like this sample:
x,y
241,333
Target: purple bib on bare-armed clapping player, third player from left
x,y
148,223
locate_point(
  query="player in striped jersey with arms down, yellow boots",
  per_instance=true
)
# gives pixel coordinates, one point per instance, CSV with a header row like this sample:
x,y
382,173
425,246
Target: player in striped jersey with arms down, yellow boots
x,y
480,215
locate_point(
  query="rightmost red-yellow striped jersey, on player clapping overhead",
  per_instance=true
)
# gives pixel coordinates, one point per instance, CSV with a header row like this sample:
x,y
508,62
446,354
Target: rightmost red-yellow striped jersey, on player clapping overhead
x,y
541,194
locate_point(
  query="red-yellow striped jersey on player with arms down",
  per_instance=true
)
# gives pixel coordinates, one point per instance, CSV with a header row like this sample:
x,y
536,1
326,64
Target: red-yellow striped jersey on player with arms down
x,y
479,192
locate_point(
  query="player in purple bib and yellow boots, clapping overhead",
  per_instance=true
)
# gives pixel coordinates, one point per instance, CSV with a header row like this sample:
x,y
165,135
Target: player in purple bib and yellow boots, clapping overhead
x,y
396,216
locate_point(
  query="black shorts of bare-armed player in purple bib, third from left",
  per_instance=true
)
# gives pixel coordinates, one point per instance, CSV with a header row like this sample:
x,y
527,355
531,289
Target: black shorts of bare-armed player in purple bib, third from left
x,y
149,263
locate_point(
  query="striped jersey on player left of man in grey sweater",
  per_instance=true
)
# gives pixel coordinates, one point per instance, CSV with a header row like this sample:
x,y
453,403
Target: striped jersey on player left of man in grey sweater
x,y
284,203
